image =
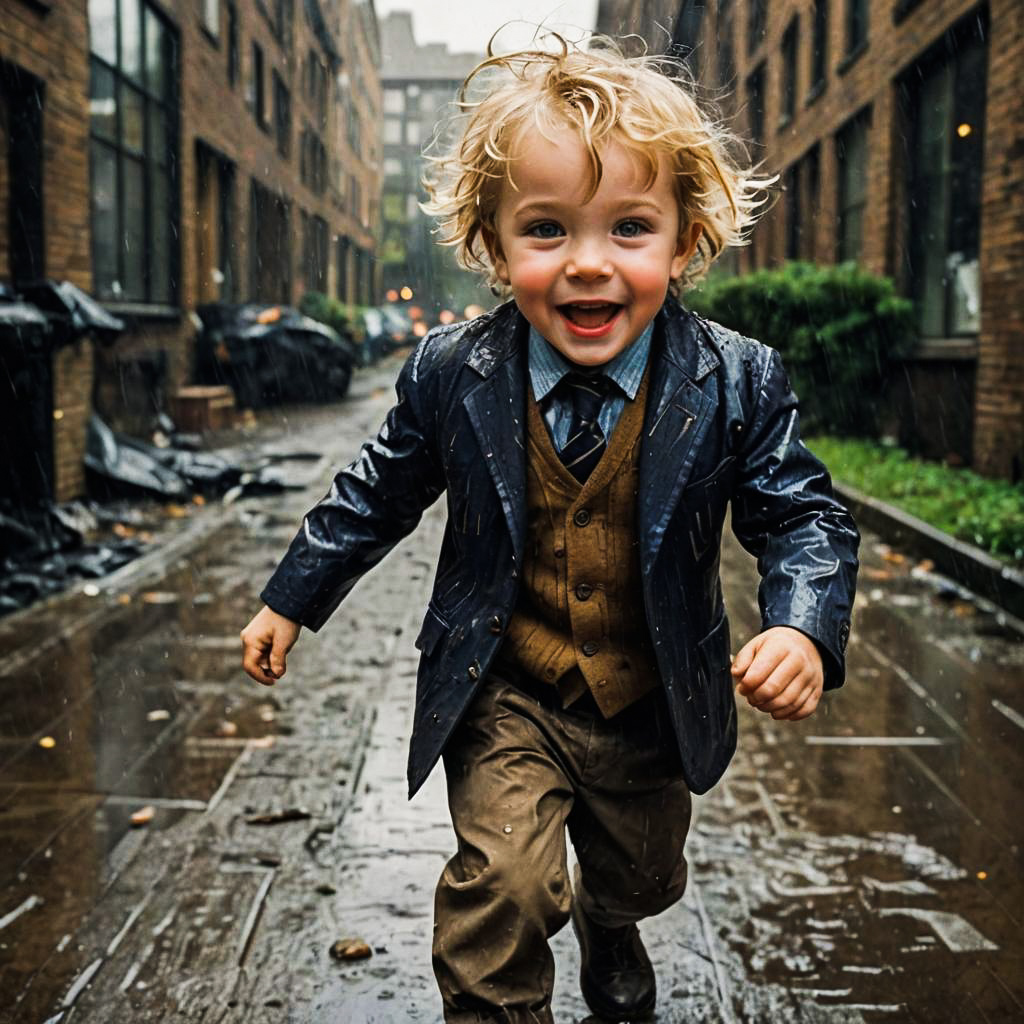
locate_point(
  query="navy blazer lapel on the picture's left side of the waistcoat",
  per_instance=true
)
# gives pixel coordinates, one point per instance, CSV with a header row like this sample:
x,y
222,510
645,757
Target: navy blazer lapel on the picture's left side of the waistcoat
x,y
496,408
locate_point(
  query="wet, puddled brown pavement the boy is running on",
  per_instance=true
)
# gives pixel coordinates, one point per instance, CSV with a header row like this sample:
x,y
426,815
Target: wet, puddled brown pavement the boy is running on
x,y
863,866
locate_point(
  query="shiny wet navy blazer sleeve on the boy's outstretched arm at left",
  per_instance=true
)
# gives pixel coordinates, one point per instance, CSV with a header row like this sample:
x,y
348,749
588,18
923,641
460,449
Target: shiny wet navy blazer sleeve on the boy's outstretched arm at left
x,y
372,505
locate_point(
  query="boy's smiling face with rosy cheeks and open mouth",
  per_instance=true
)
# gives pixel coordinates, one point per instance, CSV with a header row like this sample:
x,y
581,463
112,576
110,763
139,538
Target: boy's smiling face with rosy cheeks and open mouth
x,y
589,277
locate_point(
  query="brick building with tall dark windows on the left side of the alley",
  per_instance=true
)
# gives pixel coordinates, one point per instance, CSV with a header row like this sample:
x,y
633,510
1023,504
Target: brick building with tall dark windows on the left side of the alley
x,y
161,155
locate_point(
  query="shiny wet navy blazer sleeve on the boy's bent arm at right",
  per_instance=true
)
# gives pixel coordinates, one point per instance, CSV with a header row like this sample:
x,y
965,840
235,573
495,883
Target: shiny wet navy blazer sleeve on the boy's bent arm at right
x,y
785,514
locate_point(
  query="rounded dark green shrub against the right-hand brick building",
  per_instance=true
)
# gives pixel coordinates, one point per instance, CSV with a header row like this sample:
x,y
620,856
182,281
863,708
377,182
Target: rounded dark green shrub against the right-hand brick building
x,y
838,329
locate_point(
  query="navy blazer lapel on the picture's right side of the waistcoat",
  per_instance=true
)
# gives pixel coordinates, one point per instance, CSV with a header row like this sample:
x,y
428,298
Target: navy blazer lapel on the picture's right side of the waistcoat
x,y
679,411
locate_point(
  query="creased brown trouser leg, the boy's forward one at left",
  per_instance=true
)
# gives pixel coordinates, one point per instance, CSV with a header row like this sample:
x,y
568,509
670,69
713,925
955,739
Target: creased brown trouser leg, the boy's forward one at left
x,y
506,891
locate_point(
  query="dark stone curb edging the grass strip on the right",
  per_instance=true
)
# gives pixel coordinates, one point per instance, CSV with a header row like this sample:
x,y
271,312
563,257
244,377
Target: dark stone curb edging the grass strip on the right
x,y
965,564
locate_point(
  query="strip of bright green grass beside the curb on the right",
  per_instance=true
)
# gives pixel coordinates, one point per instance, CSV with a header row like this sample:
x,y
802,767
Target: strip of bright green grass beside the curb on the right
x,y
988,514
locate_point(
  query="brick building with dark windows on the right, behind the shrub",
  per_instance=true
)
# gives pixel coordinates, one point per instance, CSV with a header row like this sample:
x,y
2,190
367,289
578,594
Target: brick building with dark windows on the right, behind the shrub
x,y
898,127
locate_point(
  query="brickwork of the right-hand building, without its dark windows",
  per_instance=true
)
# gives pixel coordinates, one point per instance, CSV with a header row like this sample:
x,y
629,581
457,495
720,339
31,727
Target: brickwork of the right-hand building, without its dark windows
x,y
994,362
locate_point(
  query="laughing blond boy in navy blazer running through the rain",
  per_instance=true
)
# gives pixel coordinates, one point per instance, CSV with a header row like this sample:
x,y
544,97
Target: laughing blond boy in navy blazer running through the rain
x,y
588,435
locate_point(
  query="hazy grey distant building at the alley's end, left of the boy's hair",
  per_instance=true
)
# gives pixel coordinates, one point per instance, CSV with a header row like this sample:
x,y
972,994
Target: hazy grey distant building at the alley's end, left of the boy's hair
x,y
420,86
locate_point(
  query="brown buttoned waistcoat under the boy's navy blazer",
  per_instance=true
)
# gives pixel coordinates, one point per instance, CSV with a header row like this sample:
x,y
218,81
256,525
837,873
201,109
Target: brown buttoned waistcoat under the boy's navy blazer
x,y
581,603
